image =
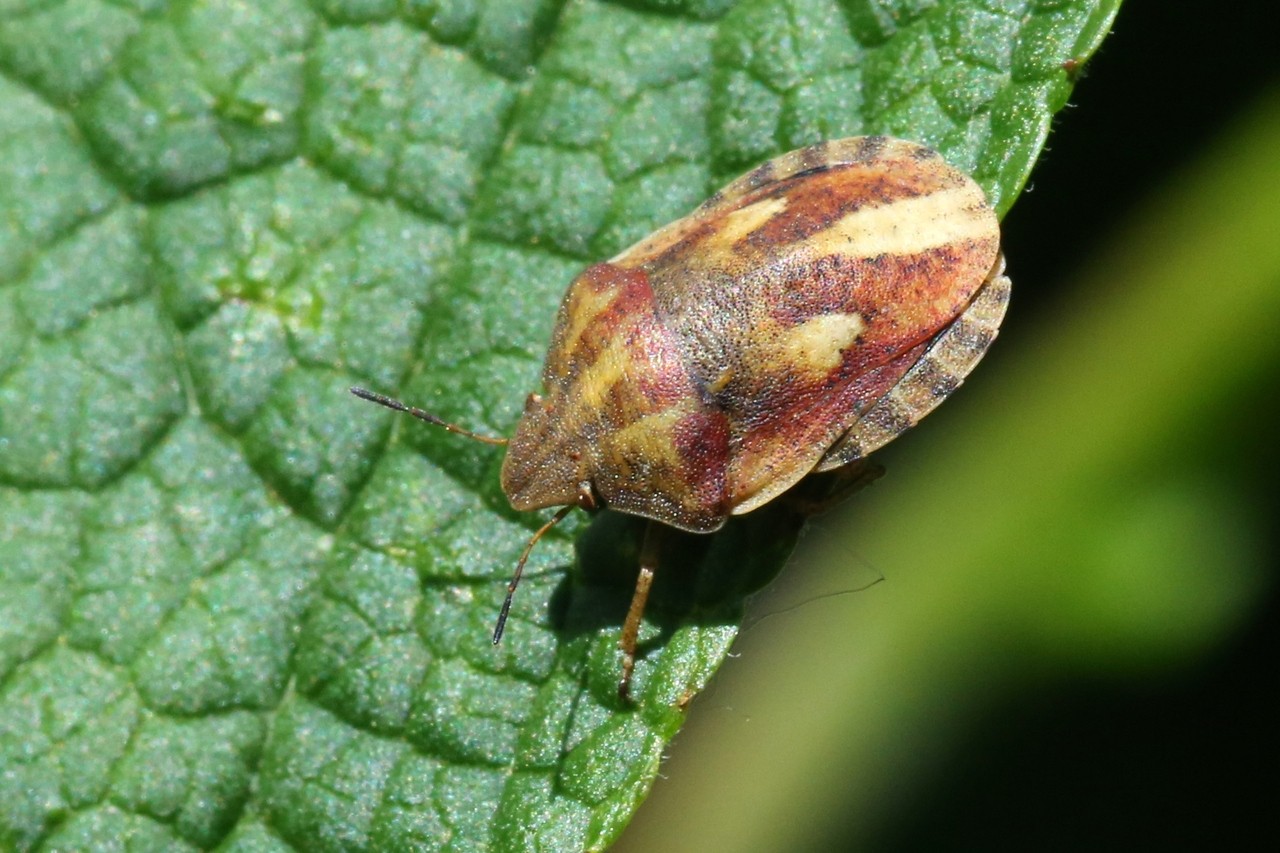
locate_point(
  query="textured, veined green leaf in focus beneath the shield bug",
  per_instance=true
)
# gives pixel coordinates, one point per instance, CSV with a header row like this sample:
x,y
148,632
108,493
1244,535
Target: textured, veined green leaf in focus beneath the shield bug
x,y
240,608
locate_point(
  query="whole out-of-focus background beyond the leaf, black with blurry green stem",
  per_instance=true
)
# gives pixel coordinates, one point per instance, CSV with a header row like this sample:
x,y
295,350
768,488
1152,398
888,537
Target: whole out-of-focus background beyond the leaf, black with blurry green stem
x,y
1054,624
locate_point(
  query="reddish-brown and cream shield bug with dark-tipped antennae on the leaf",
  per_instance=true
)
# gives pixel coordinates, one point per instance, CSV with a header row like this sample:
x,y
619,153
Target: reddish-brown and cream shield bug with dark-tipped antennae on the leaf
x,y
799,320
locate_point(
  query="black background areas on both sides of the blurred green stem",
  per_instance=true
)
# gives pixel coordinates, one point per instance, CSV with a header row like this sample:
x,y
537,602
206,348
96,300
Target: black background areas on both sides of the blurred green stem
x,y
1188,760
